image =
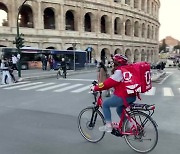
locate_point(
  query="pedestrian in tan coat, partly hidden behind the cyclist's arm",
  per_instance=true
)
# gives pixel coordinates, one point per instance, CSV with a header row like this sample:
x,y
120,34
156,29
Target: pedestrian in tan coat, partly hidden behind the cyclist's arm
x,y
102,75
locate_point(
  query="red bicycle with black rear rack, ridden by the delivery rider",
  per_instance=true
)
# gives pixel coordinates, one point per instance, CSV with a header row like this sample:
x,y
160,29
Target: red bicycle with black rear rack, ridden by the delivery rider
x,y
136,124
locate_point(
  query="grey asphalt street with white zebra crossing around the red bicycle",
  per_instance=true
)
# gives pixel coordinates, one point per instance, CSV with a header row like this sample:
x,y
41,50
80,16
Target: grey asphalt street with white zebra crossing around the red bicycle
x,y
37,118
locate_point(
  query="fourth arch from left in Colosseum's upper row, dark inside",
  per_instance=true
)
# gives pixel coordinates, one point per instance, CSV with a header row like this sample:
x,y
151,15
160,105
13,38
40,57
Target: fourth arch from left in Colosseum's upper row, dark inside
x,y
70,20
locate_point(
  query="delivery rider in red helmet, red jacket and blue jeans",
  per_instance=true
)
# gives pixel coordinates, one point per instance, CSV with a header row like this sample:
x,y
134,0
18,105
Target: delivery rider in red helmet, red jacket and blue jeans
x,y
120,95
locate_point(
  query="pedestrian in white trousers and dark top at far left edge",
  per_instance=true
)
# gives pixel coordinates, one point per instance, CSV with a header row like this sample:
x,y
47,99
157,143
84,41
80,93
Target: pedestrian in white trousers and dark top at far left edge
x,y
5,71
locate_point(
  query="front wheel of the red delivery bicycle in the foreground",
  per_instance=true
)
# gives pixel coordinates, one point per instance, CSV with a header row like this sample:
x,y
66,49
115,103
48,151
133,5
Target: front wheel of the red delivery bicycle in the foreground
x,y
89,121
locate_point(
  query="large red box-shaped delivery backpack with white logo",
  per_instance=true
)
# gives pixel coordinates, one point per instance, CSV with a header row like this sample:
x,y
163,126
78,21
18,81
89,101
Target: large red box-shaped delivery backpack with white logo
x,y
137,77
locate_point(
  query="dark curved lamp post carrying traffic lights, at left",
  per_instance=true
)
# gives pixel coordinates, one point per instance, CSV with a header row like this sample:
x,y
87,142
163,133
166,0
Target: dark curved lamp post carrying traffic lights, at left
x,y
18,37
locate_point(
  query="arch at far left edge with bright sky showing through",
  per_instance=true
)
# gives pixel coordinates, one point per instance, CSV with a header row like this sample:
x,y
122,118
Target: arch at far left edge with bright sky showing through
x,y
3,11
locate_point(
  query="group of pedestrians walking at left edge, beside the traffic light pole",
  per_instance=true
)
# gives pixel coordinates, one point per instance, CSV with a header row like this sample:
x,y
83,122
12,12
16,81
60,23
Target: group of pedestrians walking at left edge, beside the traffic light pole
x,y
8,65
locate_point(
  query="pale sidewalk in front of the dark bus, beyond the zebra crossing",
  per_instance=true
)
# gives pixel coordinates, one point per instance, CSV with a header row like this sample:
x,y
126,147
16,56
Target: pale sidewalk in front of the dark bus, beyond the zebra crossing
x,y
35,74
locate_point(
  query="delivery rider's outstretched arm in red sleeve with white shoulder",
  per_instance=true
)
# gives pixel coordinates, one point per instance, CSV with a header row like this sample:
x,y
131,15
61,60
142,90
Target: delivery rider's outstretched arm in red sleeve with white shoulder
x,y
110,82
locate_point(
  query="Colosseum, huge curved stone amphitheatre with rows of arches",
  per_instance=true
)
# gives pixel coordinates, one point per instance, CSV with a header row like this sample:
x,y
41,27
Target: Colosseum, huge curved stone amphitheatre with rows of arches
x,y
130,27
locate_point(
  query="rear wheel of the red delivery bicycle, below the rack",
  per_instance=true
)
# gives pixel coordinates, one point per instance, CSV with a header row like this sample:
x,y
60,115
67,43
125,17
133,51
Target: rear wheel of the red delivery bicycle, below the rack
x,y
147,136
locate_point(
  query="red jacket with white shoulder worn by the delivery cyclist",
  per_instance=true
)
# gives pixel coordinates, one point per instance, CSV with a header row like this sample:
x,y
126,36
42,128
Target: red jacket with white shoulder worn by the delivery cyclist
x,y
115,81
